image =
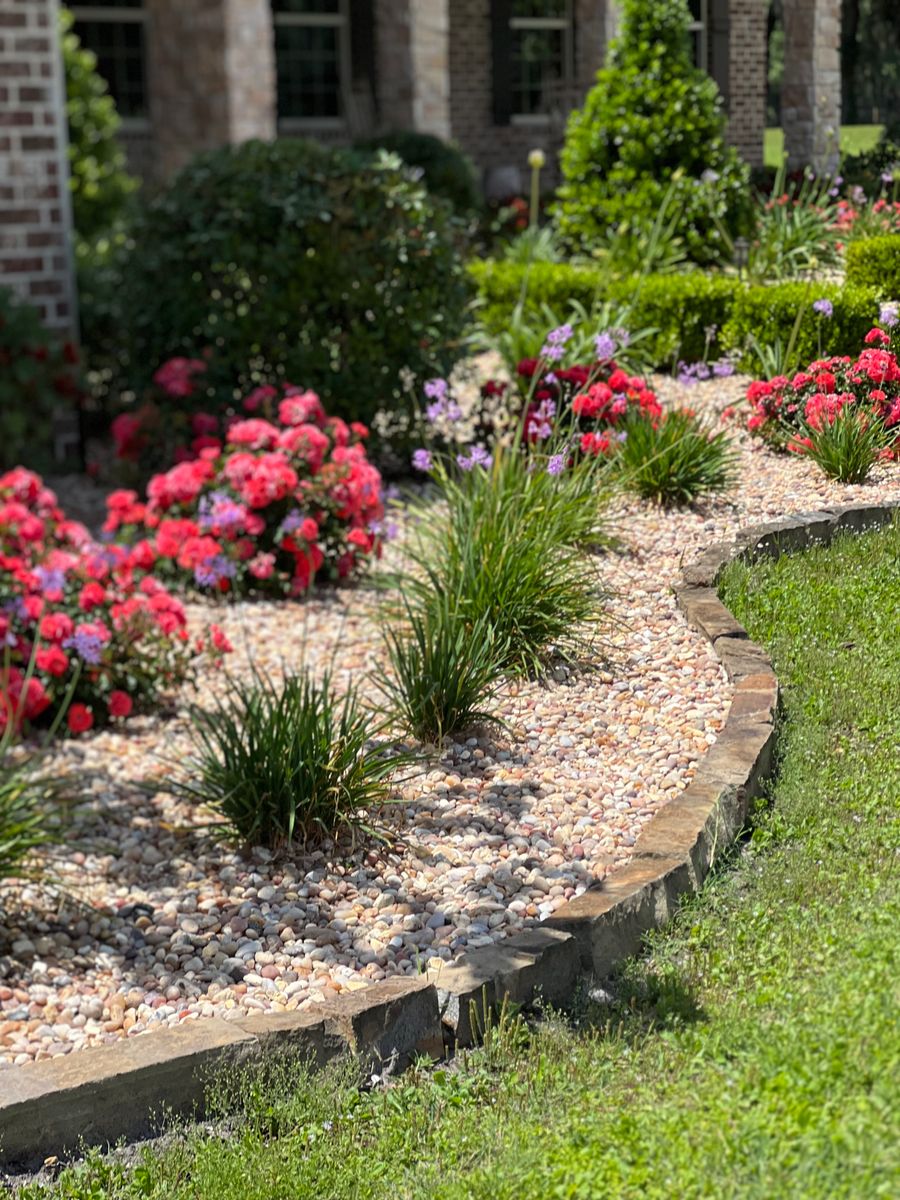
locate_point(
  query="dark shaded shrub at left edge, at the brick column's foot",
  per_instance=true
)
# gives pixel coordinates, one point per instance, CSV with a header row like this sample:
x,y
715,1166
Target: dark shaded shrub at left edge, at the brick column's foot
x,y
39,375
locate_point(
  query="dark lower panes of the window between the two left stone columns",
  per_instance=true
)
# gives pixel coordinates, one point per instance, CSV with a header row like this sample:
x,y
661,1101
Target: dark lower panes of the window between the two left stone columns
x,y
308,62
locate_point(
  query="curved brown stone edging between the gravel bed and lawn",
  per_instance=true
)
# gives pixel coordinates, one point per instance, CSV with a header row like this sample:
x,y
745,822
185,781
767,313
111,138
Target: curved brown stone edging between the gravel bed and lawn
x,y
103,1095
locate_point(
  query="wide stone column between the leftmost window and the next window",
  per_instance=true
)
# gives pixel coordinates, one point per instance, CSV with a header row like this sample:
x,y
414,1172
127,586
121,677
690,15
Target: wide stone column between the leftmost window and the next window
x,y
212,76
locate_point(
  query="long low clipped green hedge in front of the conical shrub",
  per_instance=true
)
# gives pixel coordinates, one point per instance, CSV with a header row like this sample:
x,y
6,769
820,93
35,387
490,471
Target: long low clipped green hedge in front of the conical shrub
x,y
683,308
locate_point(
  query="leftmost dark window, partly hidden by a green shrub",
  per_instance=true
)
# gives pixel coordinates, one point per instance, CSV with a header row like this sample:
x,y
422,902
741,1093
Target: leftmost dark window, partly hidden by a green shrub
x,y
115,32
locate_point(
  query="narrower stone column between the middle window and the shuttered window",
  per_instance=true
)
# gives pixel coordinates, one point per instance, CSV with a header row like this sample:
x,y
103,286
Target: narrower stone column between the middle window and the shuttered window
x,y
415,65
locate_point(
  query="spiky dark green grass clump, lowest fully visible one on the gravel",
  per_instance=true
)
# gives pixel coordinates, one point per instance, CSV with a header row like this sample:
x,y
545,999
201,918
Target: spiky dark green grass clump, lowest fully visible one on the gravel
x,y
289,765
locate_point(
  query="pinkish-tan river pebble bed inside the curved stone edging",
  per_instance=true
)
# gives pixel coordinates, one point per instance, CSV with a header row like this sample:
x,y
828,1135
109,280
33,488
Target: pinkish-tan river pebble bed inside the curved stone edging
x,y
154,921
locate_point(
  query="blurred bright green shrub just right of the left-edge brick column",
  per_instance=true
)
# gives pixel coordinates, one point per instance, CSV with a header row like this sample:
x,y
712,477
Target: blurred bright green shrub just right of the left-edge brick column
x,y
99,182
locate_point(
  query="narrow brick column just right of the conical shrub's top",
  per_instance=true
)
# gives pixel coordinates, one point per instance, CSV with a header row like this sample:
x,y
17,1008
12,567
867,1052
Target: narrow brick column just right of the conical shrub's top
x,y
747,77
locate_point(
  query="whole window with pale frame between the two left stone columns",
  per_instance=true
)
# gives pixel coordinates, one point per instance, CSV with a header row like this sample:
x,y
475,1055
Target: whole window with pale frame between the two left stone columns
x,y
311,59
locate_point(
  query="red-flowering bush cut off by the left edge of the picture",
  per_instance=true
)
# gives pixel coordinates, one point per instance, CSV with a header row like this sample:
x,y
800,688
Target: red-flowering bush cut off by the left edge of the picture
x,y
82,625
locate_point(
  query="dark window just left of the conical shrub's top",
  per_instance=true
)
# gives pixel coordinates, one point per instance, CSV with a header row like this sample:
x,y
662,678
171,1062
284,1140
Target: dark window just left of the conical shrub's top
x,y
542,53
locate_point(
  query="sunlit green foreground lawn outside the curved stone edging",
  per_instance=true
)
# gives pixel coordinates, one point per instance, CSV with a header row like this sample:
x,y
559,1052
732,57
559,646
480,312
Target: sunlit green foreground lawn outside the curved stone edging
x,y
753,1053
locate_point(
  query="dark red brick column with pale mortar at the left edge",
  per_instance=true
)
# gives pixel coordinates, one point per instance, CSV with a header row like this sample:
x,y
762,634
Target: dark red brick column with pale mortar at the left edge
x,y
35,208
